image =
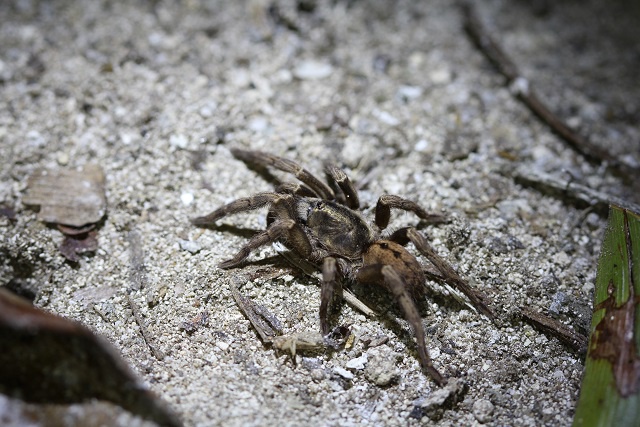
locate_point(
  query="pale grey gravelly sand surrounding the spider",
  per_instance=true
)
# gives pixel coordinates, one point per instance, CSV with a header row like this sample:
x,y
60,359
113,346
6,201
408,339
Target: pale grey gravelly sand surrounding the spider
x,y
393,92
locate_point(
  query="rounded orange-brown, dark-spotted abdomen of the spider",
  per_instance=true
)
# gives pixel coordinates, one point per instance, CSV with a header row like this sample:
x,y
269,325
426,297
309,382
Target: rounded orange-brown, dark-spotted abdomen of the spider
x,y
386,252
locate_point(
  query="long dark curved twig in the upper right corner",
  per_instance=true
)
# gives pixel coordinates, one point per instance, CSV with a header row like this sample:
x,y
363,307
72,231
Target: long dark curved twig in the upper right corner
x,y
525,93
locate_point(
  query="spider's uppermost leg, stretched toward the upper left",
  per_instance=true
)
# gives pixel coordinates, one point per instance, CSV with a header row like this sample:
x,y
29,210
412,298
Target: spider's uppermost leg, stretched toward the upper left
x,y
289,166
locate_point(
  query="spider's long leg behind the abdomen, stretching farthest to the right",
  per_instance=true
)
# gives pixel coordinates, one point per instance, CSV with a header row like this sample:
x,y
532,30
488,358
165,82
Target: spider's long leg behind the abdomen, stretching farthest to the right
x,y
479,300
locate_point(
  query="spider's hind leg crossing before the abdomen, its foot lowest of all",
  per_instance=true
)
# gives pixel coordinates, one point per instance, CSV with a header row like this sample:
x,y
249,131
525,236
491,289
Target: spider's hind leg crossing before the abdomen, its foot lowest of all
x,y
378,273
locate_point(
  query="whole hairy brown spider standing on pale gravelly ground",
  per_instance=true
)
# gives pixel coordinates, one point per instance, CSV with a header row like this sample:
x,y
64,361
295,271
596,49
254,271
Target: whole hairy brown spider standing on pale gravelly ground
x,y
325,227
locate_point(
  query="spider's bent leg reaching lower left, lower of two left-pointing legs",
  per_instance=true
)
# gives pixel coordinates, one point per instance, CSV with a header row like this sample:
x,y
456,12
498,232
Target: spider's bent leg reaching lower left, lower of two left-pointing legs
x,y
280,229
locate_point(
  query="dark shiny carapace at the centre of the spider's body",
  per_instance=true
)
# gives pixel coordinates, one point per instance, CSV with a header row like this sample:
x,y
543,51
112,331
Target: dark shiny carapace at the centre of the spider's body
x,y
339,229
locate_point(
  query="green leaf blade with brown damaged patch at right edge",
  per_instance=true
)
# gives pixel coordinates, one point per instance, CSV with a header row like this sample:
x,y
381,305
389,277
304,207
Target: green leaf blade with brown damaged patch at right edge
x,y
610,393
